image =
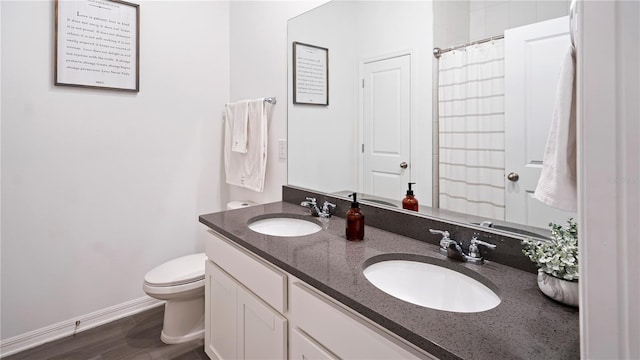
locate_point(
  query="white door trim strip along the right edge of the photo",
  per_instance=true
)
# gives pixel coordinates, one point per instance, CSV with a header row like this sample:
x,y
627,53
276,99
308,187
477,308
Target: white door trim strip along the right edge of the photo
x,y
608,44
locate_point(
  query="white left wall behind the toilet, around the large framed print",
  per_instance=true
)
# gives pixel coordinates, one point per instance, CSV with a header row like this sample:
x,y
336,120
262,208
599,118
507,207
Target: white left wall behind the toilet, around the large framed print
x,y
100,186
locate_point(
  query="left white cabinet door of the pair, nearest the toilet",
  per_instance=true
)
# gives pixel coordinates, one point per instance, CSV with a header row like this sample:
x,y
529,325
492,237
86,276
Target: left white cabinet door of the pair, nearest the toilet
x,y
220,314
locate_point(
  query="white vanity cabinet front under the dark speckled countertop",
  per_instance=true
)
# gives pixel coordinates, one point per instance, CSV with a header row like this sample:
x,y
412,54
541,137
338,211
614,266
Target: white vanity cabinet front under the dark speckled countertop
x,y
255,310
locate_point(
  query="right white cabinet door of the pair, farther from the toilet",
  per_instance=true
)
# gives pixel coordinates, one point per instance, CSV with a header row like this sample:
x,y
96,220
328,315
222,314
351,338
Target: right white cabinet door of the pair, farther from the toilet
x,y
263,332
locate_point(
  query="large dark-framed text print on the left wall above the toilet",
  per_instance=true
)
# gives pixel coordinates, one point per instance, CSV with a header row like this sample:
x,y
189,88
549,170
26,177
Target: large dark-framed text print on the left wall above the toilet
x,y
97,44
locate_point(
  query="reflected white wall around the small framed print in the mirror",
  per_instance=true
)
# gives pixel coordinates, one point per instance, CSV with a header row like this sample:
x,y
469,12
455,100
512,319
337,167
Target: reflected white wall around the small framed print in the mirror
x,y
323,139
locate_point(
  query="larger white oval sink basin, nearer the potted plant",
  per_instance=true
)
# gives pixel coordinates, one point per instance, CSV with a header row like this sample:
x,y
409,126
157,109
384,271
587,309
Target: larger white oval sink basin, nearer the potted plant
x,y
431,286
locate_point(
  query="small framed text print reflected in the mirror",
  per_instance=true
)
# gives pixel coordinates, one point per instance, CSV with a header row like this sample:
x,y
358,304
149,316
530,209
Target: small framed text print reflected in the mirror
x,y
310,74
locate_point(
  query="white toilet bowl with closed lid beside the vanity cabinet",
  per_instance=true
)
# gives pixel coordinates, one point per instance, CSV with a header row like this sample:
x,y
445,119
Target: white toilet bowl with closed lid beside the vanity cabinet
x,y
180,282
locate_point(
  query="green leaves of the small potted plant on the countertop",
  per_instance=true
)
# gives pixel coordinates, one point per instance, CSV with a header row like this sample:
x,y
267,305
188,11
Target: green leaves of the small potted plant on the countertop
x,y
559,255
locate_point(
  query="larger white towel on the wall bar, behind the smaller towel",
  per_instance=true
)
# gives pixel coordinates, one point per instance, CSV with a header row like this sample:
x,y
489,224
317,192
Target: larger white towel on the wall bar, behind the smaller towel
x,y
248,170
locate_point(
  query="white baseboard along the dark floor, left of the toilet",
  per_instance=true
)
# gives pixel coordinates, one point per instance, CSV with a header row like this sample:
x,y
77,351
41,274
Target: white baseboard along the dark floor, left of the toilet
x,y
66,328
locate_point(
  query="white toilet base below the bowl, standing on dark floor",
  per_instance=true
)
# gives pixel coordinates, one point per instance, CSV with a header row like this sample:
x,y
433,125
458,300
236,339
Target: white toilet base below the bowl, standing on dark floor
x,y
183,320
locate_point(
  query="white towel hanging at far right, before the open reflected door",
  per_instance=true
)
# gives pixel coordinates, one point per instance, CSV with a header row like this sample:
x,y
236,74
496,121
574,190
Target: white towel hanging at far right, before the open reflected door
x,y
557,184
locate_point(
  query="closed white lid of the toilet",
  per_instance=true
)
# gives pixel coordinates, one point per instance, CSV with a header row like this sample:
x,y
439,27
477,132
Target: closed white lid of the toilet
x,y
178,271
